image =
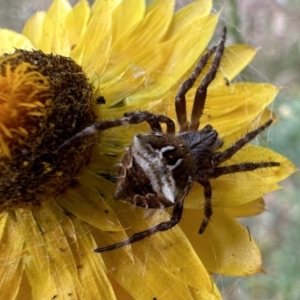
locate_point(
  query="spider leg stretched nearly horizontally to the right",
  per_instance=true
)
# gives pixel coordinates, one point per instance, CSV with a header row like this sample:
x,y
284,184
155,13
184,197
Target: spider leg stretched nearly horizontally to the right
x,y
242,167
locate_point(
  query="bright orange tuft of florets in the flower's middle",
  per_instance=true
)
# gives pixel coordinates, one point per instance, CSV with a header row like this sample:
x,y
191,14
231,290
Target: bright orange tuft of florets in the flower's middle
x,y
21,90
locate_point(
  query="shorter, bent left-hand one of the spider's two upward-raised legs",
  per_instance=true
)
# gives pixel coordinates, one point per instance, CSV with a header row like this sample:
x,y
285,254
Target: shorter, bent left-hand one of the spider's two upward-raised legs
x,y
180,101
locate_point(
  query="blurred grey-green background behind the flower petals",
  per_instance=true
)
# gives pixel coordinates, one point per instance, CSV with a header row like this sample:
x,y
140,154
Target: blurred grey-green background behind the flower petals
x,y
272,26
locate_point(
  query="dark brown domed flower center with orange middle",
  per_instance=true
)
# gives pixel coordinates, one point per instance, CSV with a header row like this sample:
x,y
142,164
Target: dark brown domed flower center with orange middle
x,y
44,100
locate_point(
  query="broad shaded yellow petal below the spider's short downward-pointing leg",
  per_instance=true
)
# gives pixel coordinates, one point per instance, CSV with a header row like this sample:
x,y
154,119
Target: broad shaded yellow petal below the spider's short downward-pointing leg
x,y
225,247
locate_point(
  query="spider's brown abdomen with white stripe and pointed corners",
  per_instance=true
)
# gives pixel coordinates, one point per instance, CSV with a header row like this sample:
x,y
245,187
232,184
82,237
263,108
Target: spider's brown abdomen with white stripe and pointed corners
x,y
157,170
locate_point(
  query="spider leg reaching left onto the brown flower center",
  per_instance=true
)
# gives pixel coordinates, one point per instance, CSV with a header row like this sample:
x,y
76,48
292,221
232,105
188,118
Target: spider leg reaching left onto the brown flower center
x,y
129,118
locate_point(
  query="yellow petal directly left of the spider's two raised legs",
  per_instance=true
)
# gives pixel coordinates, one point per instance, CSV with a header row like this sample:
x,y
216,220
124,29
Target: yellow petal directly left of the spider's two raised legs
x,y
175,63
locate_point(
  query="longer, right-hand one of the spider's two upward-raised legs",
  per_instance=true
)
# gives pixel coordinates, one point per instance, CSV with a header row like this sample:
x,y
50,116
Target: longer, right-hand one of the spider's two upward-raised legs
x,y
201,91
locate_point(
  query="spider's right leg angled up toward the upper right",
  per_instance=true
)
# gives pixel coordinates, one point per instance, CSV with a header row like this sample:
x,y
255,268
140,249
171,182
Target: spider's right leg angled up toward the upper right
x,y
229,152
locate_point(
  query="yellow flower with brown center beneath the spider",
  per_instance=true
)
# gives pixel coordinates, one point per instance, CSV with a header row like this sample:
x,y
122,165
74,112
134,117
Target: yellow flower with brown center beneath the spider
x,y
62,208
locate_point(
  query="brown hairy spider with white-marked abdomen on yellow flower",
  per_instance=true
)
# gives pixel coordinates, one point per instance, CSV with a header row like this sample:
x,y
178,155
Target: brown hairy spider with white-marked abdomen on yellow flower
x,y
159,169
